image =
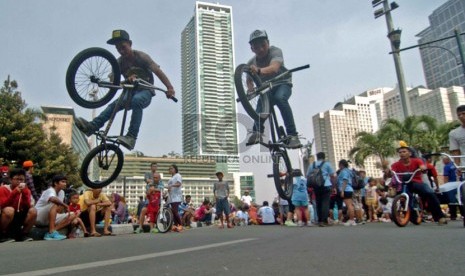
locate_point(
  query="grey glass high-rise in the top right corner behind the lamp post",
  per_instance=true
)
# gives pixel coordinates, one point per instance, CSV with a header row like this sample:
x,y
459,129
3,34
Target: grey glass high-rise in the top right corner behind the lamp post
x,y
441,63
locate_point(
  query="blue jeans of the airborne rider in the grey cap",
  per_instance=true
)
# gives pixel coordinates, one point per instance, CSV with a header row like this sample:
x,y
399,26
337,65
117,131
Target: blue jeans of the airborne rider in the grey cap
x,y
279,96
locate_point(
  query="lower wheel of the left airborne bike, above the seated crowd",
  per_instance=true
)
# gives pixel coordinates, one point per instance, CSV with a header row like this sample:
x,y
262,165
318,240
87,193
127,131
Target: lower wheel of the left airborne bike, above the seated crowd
x,y
108,167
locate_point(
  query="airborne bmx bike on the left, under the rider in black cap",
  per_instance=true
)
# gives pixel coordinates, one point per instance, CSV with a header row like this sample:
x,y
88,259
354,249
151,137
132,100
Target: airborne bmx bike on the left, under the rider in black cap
x,y
92,80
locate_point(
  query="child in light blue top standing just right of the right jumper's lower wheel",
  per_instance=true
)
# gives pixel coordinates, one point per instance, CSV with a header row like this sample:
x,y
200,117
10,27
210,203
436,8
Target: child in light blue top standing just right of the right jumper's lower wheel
x,y
300,198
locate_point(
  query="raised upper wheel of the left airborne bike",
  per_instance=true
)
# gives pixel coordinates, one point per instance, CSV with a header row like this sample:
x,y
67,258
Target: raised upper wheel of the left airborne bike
x,y
92,63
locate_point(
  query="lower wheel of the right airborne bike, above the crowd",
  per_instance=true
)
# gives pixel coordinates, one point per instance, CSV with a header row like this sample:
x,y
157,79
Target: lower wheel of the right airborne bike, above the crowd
x,y
282,172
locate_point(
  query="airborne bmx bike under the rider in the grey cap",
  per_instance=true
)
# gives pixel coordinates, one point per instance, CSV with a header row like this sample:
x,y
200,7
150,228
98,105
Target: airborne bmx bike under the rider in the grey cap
x,y
253,95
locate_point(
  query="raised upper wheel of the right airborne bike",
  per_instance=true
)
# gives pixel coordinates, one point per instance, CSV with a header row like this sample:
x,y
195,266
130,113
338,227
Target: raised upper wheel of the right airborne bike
x,y
242,78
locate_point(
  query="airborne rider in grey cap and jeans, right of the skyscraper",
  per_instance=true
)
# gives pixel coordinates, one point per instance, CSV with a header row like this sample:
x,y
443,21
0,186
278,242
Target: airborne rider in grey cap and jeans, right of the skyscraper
x,y
267,63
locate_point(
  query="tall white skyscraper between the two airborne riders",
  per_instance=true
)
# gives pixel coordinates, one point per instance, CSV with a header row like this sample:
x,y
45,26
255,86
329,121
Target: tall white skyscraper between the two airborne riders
x,y
209,127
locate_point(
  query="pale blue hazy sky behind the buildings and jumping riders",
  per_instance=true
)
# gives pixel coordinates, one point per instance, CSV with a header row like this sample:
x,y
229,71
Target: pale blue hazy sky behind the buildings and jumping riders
x,y
345,46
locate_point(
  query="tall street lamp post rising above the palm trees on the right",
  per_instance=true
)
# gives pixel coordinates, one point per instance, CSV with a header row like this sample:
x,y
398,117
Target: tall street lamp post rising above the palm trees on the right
x,y
394,37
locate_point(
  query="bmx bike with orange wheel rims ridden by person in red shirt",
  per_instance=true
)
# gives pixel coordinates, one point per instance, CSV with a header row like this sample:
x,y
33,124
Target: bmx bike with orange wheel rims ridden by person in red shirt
x,y
406,206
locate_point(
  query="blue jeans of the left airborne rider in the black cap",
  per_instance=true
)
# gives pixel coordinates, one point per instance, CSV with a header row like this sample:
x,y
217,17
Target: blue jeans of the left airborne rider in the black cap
x,y
140,100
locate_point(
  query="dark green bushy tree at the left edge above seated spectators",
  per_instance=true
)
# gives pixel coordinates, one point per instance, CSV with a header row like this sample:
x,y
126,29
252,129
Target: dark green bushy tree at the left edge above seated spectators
x,y
22,138
